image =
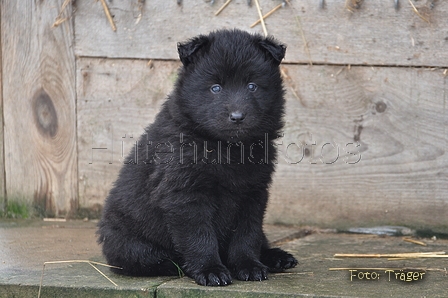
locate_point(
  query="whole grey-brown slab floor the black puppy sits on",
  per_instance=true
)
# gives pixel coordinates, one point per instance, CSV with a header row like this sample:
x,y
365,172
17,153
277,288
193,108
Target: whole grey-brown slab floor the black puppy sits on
x,y
25,246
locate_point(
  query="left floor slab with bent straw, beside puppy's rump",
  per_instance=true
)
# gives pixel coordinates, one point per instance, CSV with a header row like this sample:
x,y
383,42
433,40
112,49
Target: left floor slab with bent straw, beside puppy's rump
x,y
26,245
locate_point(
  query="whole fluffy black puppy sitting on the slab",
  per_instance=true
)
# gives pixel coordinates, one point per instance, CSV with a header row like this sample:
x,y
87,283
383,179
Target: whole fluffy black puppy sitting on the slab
x,y
195,188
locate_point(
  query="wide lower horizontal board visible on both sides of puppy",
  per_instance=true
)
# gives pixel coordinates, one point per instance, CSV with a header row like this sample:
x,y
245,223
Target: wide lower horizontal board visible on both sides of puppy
x,y
389,124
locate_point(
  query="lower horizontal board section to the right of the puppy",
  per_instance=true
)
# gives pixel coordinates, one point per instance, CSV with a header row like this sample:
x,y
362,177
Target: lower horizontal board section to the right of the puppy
x,y
399,118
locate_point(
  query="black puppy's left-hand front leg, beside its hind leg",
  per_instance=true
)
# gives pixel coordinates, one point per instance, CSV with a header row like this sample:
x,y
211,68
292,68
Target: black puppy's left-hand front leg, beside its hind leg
x,y
195,239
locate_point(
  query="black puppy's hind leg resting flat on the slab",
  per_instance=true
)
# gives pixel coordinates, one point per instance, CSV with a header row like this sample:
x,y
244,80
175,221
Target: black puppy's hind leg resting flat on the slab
x,y
137,258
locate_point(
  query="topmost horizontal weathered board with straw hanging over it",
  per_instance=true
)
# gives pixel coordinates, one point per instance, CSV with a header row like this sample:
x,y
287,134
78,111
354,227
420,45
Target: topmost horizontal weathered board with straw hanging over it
x,y
374,34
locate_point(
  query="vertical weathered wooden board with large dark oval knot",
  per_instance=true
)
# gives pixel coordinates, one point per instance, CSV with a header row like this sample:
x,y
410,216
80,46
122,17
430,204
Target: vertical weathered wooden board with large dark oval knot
x,y
39,106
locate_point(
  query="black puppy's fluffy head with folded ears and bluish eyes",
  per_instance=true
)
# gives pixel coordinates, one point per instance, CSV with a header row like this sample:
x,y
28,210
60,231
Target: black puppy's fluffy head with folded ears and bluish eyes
x,y
230,85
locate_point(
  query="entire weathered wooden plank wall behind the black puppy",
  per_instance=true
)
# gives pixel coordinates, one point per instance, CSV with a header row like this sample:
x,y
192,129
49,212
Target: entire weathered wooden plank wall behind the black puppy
x,y
365,141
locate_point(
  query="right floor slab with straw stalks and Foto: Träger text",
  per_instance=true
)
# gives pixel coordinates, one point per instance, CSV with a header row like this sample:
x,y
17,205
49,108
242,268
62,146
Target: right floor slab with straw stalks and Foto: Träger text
x,y
313,278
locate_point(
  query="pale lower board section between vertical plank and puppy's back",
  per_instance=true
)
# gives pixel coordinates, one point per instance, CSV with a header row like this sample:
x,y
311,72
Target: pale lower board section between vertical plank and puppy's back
x,y
117,99
